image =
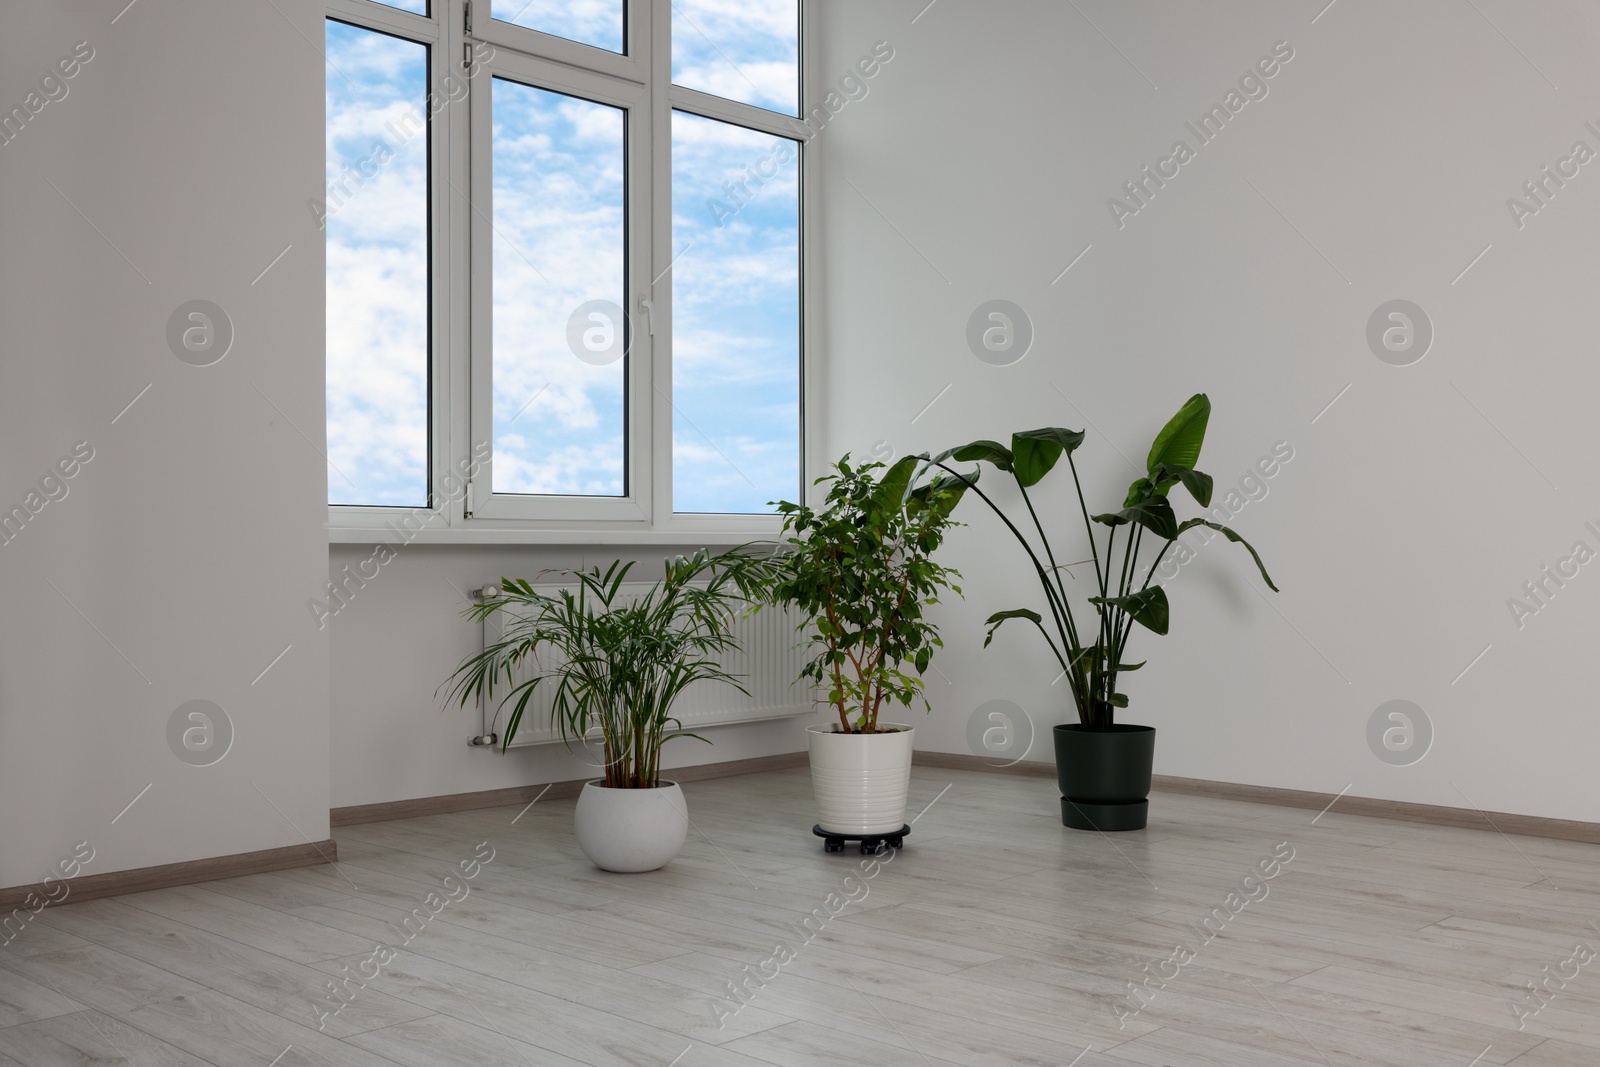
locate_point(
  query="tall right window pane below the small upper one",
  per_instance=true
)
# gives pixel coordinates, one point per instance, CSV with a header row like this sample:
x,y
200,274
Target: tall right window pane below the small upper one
x,y
735,318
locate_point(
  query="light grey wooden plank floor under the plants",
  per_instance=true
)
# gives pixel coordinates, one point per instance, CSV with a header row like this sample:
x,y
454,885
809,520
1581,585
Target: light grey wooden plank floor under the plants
x,y
996,938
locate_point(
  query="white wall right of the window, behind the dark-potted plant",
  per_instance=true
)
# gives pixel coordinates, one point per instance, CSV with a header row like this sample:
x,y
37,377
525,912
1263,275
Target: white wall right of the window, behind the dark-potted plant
x,y
1412,511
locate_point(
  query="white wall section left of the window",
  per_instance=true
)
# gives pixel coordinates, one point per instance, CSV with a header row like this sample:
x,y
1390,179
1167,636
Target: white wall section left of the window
x,y
186,148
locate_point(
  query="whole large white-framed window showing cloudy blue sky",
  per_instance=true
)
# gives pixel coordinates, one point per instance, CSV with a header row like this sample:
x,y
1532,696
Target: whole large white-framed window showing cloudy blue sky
x,y
566,265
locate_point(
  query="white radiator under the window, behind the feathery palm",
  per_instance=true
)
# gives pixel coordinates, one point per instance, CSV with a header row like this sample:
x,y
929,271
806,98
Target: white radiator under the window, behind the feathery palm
x,y
767,665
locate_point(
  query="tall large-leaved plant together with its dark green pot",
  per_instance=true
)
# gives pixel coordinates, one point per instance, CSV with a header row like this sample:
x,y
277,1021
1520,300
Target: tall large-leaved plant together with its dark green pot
x,y
1103,767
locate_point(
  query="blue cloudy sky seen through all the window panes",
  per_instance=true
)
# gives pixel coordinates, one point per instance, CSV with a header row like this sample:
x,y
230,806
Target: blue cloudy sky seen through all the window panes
x,y
559,215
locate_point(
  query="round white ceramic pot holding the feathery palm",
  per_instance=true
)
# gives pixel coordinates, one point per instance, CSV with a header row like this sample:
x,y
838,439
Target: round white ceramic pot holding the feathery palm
x,y
631,829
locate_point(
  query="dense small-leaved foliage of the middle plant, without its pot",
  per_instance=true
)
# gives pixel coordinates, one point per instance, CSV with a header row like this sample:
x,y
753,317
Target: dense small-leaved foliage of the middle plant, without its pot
x,y
862,572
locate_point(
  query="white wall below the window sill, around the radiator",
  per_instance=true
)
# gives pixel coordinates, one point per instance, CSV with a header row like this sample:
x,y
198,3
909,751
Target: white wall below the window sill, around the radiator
x,y
399,639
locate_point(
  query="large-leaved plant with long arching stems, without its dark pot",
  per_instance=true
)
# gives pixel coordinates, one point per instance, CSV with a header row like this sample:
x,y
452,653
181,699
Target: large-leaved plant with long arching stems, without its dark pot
x,y
1092,650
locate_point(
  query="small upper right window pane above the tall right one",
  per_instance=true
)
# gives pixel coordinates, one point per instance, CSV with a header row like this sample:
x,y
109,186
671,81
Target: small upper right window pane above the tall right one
x,y
745,50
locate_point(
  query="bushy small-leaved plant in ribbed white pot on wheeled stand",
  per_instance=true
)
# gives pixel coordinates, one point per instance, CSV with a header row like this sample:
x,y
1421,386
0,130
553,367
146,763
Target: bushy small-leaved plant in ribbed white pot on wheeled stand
x,y
860,569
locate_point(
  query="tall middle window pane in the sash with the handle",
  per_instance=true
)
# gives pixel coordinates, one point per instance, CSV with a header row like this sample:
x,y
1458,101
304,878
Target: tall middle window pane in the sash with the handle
x,y
561,374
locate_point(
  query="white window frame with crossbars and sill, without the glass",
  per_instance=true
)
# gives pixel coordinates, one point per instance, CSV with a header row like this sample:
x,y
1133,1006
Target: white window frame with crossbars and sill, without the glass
x,y
460,410
